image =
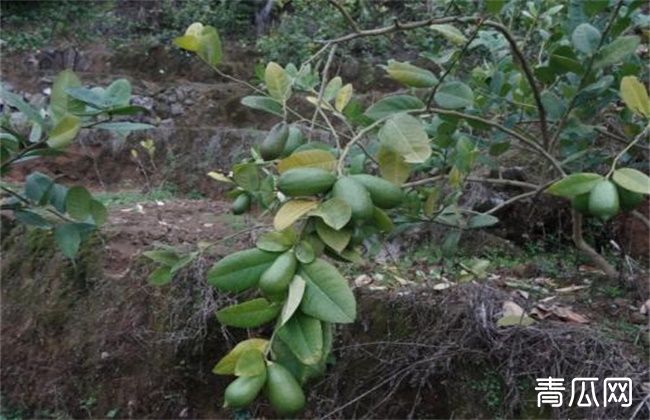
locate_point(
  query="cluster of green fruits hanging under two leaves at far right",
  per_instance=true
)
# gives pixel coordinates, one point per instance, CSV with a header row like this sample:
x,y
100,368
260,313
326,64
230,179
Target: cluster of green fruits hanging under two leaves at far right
x,y
606,200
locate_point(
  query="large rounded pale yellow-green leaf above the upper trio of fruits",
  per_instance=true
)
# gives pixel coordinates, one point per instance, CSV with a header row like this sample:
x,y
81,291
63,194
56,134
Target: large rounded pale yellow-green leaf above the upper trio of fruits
x,y
405,135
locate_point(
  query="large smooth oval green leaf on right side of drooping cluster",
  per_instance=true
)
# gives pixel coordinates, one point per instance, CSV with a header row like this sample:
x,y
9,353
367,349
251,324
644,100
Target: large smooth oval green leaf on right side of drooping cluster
x,y
327,295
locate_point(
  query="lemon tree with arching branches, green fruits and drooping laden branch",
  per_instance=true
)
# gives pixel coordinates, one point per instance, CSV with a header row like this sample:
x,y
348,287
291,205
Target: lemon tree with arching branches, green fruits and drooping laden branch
x,y
406,158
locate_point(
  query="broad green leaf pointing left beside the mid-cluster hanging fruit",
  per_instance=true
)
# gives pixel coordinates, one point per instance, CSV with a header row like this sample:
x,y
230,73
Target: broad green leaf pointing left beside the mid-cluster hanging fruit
x,y
241,270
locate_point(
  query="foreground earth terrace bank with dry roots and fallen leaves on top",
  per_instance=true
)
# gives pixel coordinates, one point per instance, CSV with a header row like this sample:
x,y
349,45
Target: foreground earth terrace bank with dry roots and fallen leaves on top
x,y
94,339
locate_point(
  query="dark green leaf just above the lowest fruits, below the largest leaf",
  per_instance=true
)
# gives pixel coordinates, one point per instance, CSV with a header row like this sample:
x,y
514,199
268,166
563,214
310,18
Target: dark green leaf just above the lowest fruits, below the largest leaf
x,y
304,337
